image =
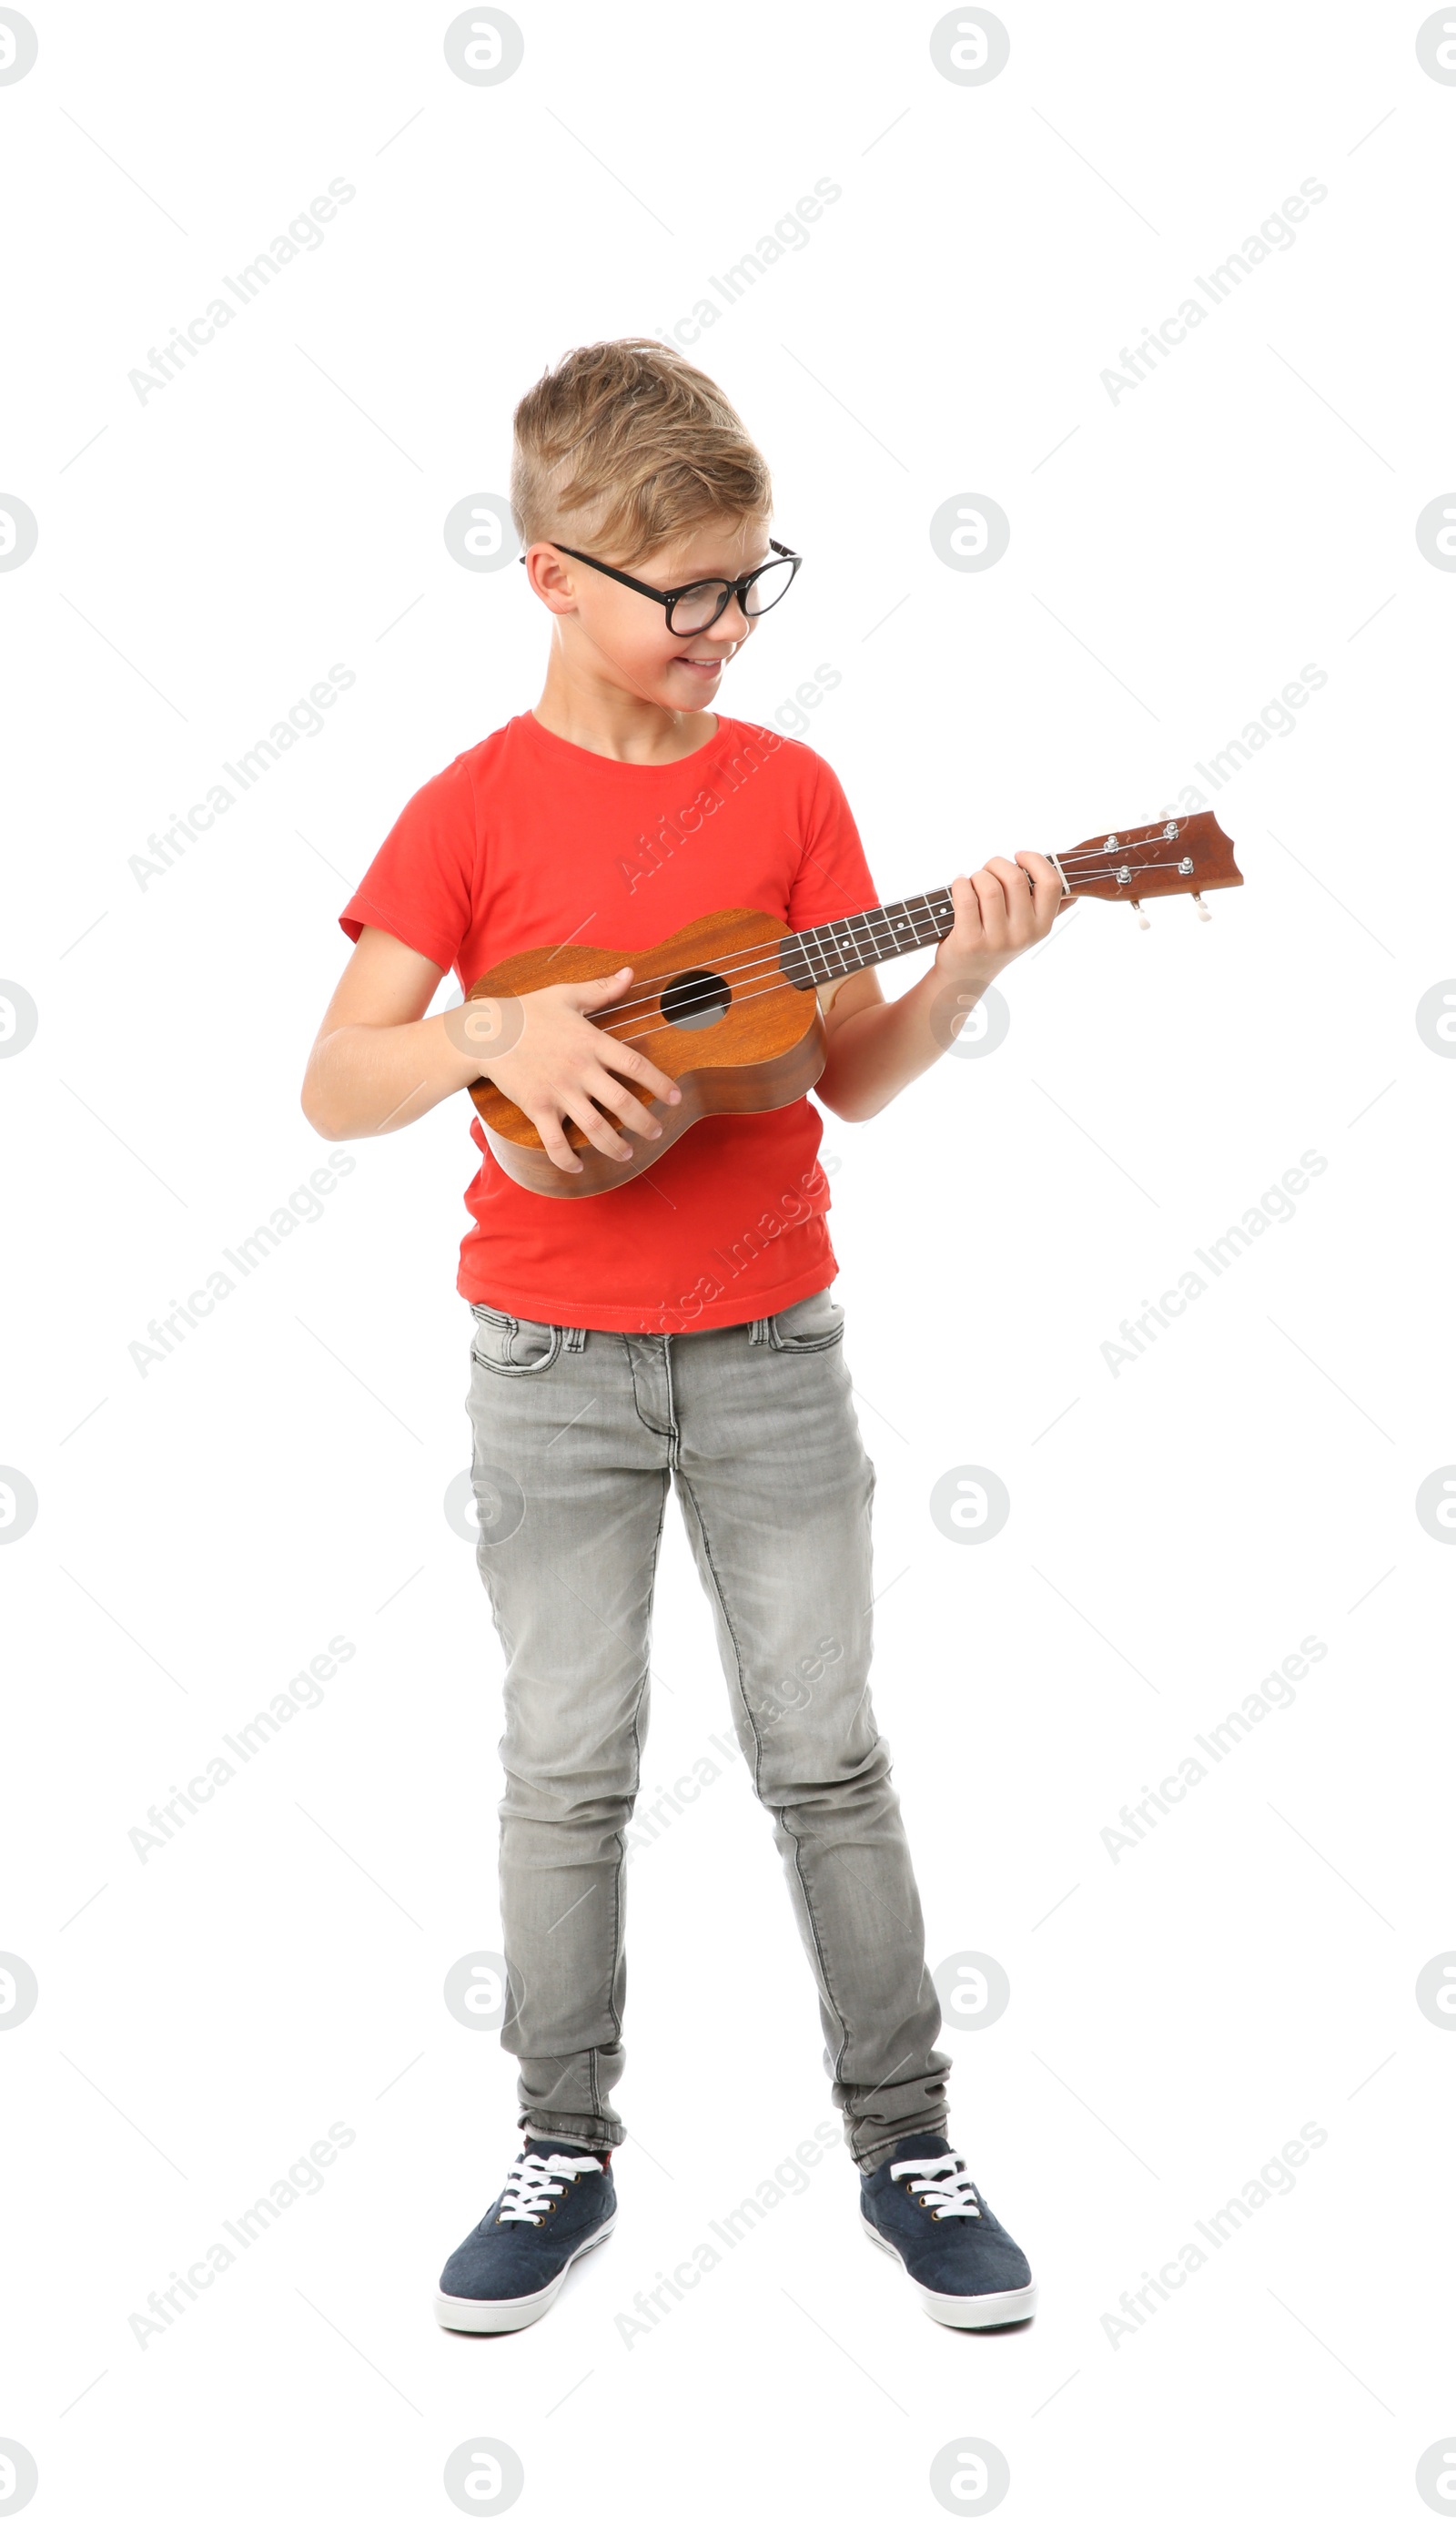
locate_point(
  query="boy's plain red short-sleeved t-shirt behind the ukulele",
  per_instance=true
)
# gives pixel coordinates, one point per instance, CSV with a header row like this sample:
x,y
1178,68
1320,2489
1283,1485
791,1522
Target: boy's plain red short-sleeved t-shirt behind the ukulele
x,y
529,842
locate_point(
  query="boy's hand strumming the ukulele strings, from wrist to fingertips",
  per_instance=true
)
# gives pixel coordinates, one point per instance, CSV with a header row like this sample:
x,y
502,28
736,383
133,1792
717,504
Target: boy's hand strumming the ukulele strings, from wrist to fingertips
x,y
551,1062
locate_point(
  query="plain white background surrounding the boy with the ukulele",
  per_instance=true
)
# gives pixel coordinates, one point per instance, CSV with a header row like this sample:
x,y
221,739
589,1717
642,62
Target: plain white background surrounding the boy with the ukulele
x,y
203,1529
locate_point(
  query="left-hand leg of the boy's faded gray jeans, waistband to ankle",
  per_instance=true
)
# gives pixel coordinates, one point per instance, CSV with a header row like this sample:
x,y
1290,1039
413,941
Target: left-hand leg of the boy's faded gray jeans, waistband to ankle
x,y
572,1494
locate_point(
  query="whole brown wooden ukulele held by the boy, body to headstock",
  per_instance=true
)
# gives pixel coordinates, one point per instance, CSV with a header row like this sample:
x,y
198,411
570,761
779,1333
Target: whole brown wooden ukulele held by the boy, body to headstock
x,y
731,1004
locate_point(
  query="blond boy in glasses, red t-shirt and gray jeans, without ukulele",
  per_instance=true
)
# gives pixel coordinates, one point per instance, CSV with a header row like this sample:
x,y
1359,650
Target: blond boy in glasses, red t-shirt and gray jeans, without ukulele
x,y
678,1329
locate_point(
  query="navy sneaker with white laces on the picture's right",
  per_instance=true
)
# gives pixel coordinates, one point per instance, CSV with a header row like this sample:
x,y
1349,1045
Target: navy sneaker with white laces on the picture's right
x,y
925,2208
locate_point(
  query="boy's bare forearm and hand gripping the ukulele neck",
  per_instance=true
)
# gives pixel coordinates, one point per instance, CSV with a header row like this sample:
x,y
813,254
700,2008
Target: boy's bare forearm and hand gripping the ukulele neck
x,y
877,1047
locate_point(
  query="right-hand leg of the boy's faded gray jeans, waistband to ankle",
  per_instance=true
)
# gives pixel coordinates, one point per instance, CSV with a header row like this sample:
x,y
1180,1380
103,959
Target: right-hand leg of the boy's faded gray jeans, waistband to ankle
x,y
776,1494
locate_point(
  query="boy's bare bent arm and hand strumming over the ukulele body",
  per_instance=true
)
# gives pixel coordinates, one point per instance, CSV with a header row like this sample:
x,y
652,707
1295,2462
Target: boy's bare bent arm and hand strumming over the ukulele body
x,y
380,1062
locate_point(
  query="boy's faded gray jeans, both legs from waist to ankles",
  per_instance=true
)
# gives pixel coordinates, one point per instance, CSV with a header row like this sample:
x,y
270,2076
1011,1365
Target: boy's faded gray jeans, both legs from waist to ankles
x,y
577,1438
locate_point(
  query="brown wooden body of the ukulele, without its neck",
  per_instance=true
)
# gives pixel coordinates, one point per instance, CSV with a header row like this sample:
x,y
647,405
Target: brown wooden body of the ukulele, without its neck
x,y
720,1021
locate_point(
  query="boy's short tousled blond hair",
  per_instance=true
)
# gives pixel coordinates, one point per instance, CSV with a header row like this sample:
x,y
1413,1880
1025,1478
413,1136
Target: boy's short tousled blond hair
x,y
630,443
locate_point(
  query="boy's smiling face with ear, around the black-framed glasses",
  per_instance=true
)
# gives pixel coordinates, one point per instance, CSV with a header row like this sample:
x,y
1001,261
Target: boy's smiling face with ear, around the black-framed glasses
x,y
622,638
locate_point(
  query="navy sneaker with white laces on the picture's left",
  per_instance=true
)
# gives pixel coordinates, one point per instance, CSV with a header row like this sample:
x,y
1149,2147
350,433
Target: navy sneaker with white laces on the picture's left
x,y
554,2208
